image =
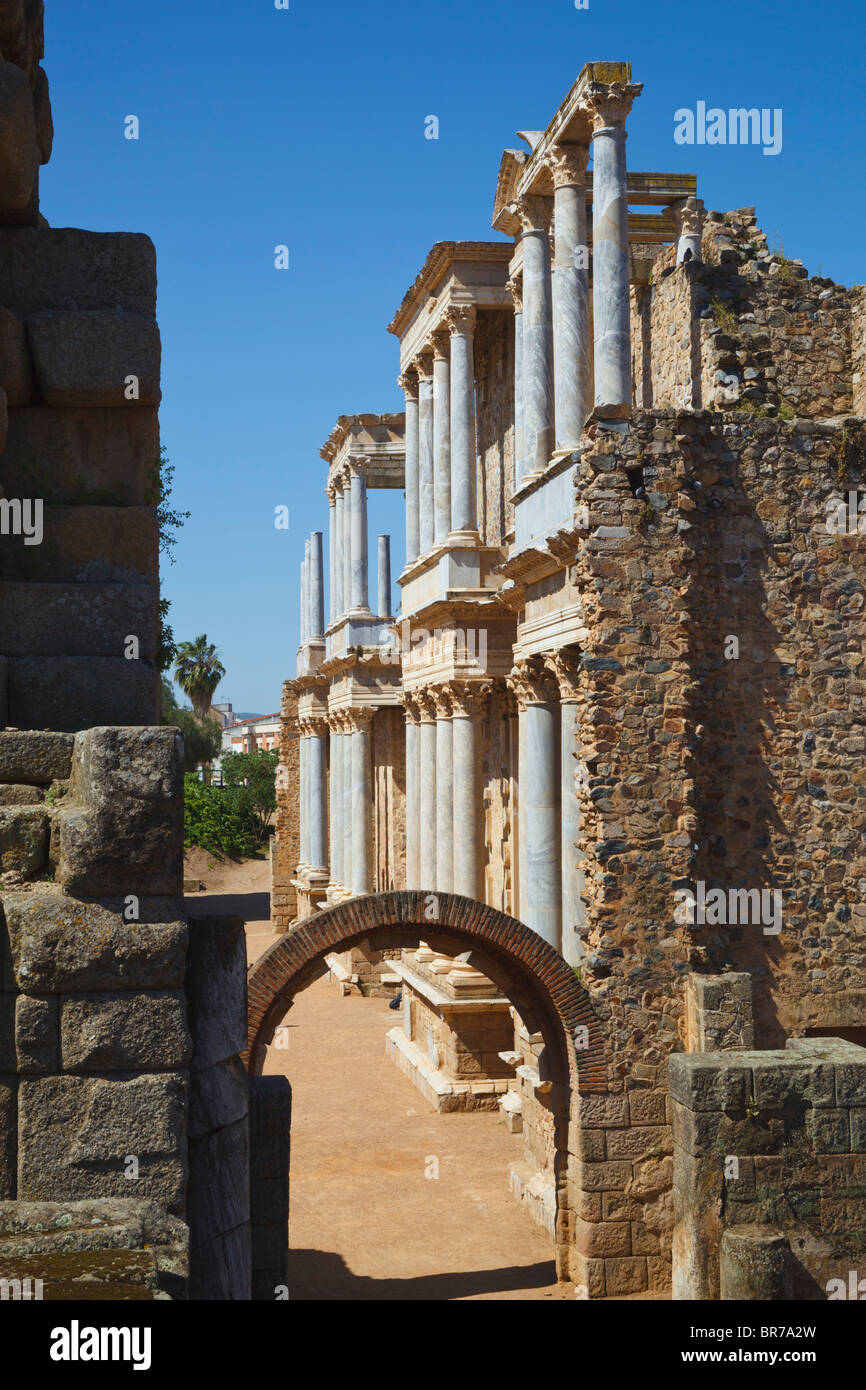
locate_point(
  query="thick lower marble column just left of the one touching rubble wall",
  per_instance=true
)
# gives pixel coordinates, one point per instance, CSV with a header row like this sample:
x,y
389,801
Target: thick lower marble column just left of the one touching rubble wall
x,y
540,803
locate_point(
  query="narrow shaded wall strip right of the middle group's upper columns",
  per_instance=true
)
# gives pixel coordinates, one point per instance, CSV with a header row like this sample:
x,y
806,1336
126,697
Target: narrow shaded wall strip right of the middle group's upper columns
x,y
496,425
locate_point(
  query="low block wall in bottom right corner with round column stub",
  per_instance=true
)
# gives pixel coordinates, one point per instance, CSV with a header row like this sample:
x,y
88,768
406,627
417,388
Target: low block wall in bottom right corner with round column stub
x,y
771,1150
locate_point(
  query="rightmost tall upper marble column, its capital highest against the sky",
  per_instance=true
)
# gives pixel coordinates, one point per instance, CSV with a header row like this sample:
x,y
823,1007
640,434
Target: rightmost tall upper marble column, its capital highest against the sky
x,y
610,105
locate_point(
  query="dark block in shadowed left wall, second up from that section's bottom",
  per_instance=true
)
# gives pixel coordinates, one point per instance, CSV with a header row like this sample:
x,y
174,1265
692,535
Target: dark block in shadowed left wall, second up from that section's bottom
x,y
79,619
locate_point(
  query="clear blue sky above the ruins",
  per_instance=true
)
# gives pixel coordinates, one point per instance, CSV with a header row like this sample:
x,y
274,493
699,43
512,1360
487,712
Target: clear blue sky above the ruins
x,y
307,127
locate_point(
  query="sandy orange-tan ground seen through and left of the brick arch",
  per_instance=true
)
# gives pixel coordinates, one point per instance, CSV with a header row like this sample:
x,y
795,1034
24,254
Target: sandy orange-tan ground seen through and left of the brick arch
x,y
366,1221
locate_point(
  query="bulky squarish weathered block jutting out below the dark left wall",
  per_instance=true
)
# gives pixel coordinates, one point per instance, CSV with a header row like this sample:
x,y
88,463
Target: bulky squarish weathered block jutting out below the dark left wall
x,y
122,829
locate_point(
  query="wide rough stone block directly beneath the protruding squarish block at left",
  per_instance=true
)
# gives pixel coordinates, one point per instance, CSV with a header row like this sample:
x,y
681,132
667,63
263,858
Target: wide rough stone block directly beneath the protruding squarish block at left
x,y
58,946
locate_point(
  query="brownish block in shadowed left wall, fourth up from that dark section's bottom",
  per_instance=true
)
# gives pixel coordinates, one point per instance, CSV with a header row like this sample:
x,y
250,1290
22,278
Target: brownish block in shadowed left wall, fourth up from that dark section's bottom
x,y
99,458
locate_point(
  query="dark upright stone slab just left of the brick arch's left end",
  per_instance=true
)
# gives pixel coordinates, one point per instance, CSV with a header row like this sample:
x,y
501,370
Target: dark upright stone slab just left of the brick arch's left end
x,y
216,990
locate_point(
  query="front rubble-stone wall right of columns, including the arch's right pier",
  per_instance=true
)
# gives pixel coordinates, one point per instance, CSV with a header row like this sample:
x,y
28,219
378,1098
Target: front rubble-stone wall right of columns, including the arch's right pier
x,y
742,772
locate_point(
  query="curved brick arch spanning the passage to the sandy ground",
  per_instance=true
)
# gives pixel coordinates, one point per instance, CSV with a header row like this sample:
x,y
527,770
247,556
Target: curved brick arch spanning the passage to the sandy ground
x,y
543,988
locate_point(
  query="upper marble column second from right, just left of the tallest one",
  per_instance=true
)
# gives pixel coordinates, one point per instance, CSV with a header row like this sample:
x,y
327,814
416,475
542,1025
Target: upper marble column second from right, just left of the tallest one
x,y
572,358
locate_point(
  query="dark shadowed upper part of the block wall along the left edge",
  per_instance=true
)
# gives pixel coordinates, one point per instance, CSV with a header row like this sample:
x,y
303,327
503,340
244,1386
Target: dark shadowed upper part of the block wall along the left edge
x,y
80,451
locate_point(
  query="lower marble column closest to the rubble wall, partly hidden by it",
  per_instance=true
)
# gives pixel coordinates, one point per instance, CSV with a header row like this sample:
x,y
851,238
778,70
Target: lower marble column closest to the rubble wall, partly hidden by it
x,y
565,671
